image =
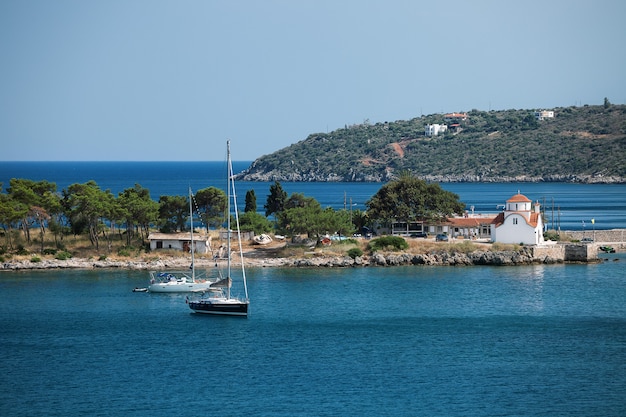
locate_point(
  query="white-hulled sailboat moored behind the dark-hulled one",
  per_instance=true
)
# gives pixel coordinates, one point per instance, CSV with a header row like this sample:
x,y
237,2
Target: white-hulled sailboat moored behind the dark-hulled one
x,y
177,282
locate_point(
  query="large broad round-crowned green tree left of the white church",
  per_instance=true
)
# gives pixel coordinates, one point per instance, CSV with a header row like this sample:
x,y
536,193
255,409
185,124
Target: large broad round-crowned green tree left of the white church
x,y
410,199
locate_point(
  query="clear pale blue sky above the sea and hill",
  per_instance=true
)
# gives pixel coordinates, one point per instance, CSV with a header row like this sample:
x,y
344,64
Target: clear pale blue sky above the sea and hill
x,y
172,80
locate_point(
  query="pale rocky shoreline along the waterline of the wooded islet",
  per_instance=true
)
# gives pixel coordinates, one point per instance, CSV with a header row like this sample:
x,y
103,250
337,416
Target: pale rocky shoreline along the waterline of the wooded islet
x,y
524,256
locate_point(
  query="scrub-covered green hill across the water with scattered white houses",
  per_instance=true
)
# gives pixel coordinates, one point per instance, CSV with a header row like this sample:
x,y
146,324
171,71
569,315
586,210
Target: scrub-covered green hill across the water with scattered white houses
x,y
577,144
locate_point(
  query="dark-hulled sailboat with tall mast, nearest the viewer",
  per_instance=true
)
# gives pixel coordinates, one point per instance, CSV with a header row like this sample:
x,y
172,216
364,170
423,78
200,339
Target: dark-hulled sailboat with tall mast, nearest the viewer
x,y
217,299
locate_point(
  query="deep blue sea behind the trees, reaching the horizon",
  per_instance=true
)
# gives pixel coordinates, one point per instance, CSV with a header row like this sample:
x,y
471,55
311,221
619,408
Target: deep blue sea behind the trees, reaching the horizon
x,y
568,206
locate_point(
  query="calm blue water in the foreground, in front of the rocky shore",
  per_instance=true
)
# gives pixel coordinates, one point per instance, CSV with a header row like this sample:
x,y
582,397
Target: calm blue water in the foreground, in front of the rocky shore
x,y
402,341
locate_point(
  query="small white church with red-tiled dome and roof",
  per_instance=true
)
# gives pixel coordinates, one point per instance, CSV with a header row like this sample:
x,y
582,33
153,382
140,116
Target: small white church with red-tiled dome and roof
x,y
520,222
